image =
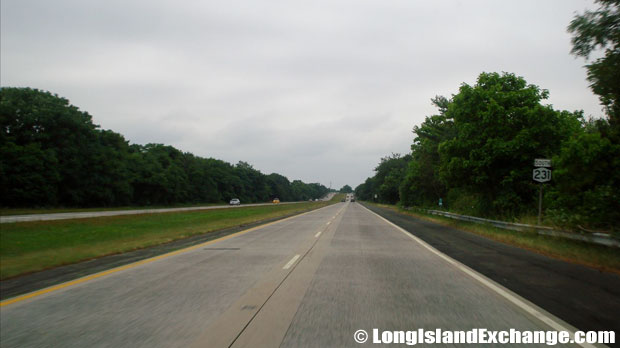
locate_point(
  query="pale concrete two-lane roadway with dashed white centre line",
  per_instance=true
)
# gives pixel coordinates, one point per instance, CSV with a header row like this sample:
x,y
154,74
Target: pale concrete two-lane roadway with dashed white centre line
x,y
311,280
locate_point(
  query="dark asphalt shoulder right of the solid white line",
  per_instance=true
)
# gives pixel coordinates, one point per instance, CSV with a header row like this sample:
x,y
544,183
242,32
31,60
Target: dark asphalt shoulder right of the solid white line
x,y
583,297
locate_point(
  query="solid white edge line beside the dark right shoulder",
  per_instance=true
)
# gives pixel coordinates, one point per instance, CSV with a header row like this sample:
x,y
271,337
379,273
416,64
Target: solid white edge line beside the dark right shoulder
x,y
488,283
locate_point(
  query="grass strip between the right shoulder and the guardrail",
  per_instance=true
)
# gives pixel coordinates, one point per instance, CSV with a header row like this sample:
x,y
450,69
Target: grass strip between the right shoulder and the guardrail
x,y
595,256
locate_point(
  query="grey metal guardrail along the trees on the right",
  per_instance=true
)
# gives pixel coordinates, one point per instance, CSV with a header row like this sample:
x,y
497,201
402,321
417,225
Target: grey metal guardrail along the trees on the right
x,y
594,238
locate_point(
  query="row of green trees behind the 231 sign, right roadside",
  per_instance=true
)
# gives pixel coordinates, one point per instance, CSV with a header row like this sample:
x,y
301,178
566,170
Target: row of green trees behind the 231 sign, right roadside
x,y
476,154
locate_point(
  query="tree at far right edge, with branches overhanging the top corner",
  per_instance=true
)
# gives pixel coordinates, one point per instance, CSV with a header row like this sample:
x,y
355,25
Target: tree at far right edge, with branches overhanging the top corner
x,y
588,189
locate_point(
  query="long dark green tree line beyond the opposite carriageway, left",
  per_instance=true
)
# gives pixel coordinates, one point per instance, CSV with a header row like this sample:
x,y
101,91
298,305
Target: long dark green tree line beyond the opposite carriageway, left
x,y
51,154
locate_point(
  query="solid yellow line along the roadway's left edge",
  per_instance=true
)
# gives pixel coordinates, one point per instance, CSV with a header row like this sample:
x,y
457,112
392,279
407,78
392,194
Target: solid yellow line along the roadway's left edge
x,y
139,263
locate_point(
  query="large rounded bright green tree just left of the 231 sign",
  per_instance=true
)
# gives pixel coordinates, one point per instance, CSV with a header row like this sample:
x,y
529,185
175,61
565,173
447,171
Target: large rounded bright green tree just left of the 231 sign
x,y
500,127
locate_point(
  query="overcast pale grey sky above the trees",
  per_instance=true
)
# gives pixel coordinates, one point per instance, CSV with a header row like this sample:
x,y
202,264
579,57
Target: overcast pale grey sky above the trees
x,y
313,90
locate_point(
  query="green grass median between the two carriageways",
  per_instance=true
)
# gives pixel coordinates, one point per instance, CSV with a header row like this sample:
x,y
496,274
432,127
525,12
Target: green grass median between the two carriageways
x,y
27,247
